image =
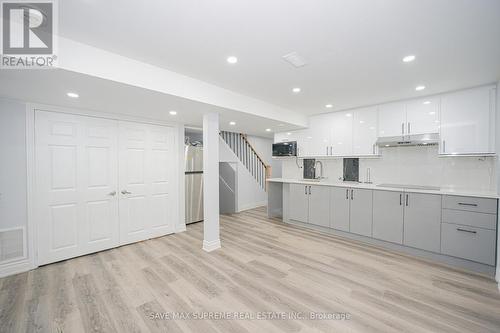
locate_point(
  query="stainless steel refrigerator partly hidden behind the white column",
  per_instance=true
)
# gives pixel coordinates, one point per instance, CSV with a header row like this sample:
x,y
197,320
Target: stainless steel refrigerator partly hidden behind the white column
x,y
194,183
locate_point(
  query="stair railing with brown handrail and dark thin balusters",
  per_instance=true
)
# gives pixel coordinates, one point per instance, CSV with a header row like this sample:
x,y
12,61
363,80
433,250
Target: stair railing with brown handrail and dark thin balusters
x,y
248,156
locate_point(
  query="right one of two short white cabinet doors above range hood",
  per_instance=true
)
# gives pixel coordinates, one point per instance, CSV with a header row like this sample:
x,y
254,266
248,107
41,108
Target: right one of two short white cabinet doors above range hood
x,y
422,116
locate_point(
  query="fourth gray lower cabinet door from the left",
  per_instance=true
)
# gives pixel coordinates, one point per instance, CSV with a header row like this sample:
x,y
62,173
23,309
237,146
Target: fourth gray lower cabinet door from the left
x,y
361,212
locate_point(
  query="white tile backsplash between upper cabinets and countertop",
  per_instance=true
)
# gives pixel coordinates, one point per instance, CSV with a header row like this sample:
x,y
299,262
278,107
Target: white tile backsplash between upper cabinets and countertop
x,y
413,165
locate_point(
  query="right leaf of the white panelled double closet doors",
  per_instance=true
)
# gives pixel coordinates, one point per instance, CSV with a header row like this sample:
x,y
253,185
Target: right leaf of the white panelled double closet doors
x,y
147,167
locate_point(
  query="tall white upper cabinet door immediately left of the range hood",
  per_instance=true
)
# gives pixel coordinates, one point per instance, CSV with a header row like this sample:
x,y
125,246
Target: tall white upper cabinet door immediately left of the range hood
x,y
364,131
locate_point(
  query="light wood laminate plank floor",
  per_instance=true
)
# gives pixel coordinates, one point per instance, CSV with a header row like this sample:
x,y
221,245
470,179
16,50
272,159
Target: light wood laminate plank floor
x,y
264,265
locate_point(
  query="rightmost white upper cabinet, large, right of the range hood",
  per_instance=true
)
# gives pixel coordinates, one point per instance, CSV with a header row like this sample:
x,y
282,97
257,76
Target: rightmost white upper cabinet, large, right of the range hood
x,y
467,122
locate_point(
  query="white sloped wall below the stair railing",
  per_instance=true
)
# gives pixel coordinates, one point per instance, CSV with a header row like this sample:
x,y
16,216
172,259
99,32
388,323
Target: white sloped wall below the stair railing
x,y
249,193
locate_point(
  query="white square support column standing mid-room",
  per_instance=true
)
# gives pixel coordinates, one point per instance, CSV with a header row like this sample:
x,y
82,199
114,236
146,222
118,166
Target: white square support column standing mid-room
x,y
211,240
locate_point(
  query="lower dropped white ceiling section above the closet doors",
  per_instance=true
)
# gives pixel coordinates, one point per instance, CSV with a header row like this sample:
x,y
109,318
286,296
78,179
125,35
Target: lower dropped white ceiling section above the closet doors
x,y
50,87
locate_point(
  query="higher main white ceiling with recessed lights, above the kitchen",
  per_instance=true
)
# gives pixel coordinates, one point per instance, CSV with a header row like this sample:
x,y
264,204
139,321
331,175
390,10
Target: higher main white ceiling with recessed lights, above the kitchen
x,y
353,48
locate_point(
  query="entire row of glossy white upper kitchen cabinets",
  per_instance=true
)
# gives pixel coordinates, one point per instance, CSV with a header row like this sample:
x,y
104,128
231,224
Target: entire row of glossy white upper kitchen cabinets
x,y
465,121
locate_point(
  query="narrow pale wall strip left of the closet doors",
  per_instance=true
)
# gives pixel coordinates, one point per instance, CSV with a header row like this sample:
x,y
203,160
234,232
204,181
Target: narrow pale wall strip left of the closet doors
x,y
13,211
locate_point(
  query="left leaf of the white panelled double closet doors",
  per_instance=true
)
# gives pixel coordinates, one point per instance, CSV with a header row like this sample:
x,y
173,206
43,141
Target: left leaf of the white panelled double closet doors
x,y
76,178
